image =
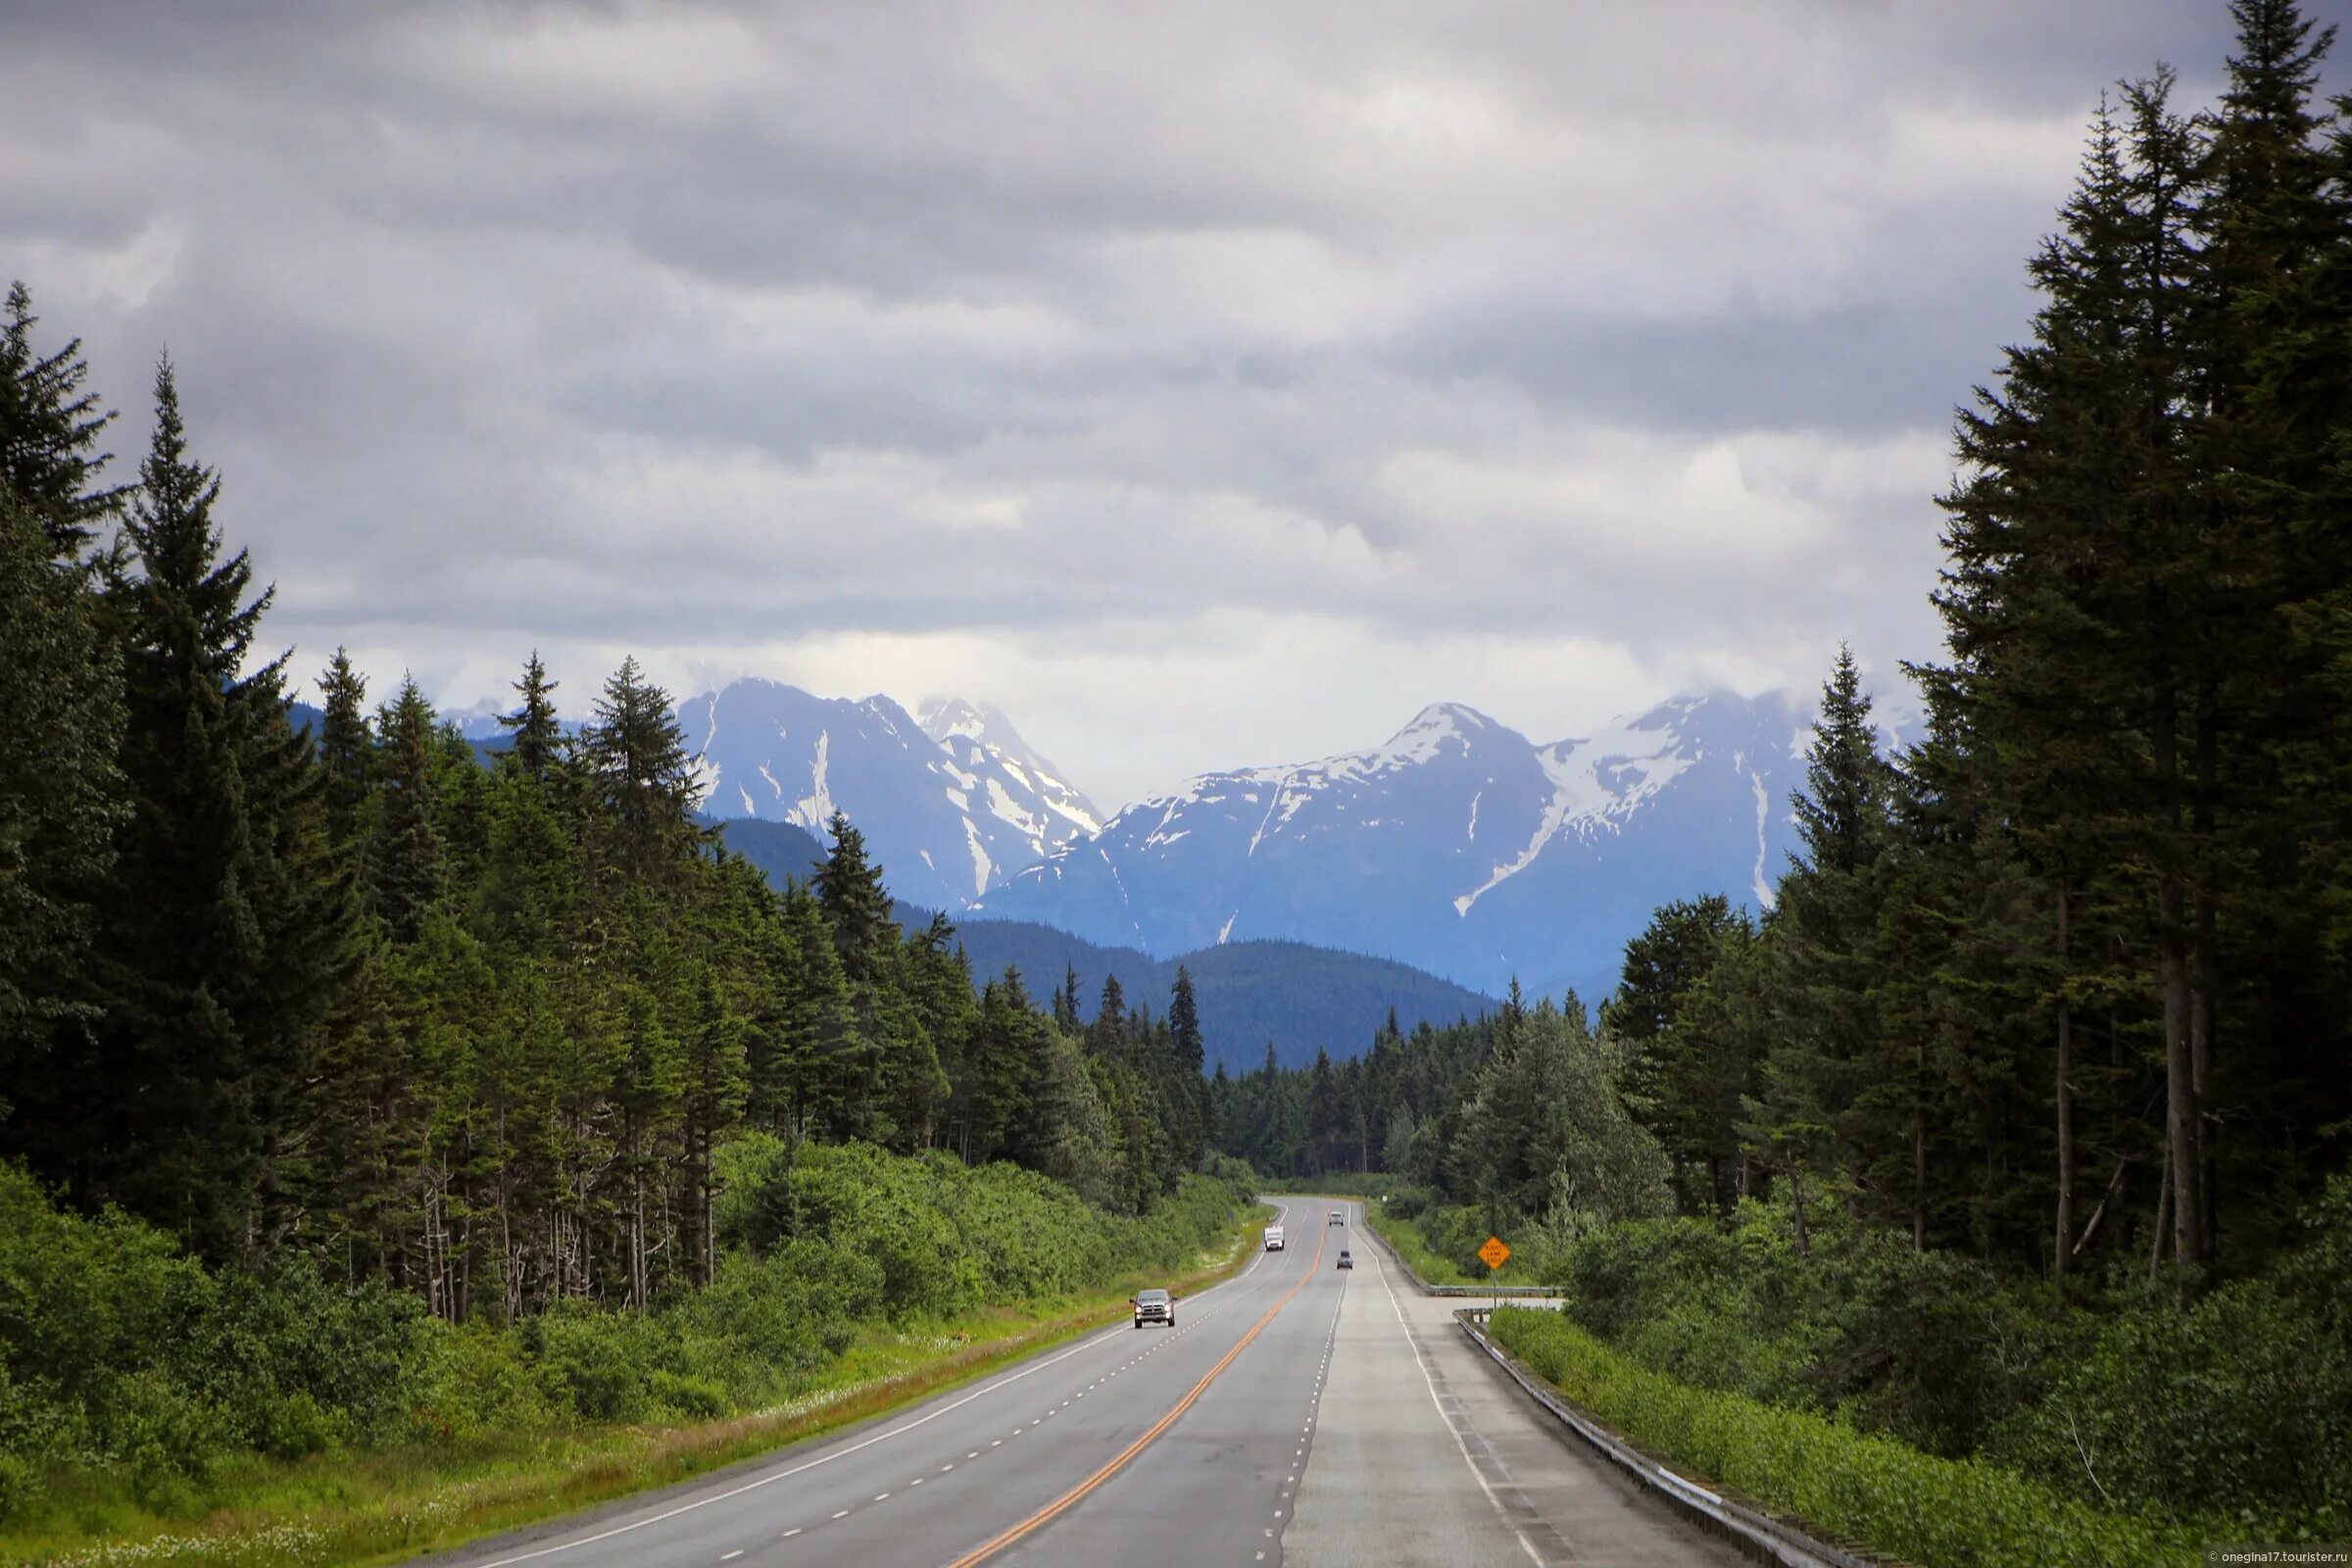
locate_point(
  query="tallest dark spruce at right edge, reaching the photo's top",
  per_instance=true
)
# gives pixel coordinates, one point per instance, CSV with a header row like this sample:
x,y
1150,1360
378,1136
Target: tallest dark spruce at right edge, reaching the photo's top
x,y
2266,225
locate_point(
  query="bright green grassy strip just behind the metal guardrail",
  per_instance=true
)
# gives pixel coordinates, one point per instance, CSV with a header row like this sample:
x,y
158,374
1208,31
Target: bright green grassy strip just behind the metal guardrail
x,y
1838,1482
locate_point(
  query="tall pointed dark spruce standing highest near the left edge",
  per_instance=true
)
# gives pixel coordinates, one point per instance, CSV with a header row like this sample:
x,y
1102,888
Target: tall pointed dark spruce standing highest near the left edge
x,y
229,925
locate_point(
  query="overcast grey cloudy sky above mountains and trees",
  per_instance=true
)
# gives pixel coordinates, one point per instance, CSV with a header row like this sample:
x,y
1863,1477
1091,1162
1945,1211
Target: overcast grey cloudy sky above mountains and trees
x,y
1205,384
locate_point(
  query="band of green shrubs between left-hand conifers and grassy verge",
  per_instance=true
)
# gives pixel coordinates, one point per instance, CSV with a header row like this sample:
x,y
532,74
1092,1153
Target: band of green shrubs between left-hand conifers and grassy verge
x,y
121,1355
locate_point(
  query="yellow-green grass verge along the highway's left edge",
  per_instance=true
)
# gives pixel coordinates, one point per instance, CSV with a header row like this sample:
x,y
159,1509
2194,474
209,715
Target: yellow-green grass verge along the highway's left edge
x,y
375,1508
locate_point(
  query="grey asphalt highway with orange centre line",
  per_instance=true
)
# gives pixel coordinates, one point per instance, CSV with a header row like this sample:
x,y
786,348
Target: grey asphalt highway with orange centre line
x,y
1295,1414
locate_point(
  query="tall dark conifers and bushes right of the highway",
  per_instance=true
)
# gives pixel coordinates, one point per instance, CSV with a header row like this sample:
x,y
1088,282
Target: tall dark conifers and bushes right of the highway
x,y
2019,1125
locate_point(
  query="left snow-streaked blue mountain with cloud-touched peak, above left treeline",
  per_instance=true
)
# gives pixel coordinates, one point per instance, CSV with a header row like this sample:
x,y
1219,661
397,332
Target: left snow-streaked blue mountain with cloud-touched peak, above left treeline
x,y
949,805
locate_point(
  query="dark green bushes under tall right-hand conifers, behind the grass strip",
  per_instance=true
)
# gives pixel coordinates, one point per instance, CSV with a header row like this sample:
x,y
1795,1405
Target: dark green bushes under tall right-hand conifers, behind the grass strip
x,y
2118,1395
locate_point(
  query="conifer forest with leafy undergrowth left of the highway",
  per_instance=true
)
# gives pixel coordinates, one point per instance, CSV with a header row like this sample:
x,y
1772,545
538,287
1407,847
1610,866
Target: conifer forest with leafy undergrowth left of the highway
x,y
370,1031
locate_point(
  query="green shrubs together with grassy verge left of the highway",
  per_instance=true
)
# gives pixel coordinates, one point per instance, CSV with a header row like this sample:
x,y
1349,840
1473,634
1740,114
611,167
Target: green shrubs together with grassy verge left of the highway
x,y
159,1414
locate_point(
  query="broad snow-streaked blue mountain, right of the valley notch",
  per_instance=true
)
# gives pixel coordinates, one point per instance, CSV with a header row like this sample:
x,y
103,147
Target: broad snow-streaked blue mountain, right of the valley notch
x,y
1457,845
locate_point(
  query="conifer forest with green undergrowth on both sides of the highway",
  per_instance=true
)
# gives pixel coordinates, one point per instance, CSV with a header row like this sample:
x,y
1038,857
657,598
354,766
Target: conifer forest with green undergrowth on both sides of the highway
x,y
368,1092
